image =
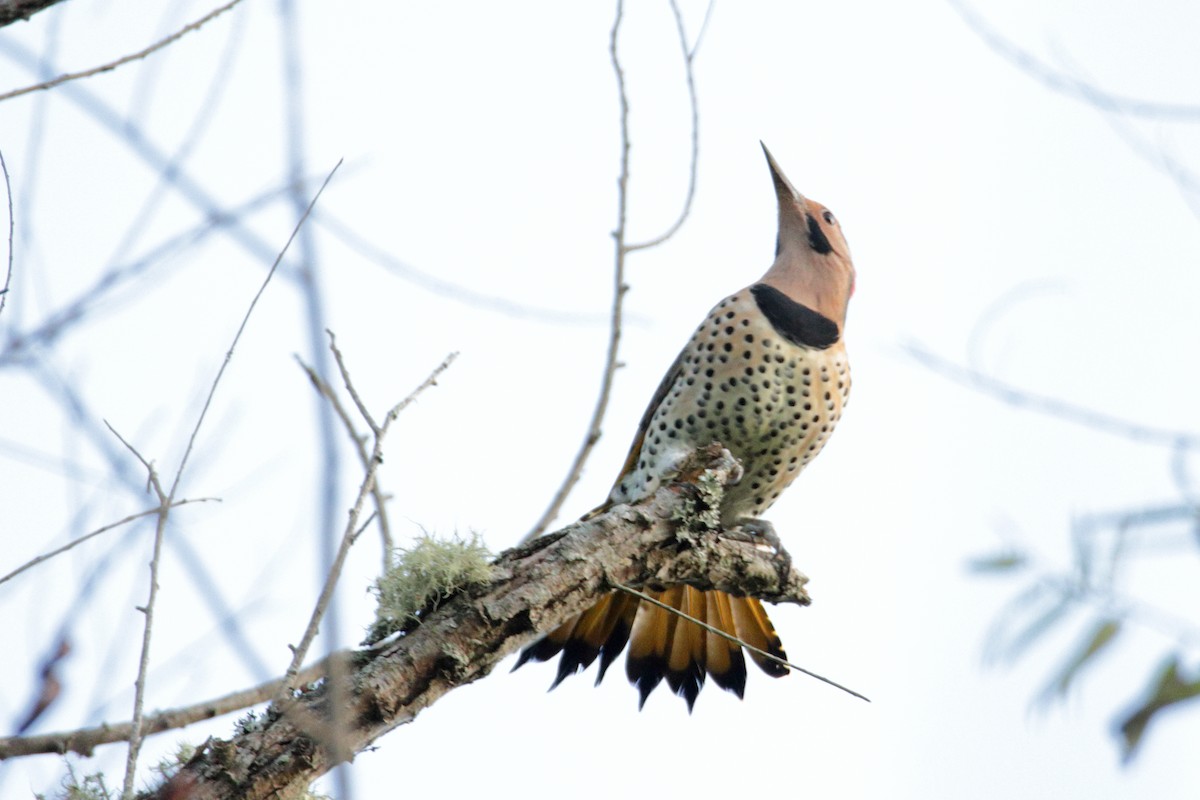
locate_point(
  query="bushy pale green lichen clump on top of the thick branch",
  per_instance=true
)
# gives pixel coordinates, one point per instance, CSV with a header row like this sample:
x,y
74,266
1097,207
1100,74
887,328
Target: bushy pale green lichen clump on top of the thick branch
x,y
423,576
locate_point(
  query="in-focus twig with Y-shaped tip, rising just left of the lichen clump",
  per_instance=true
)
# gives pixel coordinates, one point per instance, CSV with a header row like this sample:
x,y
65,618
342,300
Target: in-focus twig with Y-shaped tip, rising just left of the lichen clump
x,y
352,525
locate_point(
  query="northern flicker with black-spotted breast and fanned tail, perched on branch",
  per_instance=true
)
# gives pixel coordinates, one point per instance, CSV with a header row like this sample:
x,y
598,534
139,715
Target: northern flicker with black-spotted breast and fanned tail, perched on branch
x,y
766,376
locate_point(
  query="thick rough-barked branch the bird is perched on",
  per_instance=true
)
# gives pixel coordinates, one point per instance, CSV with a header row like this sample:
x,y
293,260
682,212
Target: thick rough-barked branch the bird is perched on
x,y
533,590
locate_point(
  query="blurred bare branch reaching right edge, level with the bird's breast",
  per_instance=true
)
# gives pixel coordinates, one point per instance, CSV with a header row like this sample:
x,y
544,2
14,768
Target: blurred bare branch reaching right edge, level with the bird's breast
x,y
1052,406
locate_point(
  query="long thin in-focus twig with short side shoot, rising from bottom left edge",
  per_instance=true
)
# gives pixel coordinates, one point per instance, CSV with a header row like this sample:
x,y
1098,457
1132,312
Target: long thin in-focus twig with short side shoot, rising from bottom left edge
x,y
167,498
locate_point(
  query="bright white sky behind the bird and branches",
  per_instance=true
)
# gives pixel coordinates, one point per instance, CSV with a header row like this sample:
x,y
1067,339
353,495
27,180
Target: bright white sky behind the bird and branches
x,y
481,146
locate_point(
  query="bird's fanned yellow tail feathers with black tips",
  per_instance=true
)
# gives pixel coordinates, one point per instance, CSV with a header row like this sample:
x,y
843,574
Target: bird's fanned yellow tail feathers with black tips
x,y
663,645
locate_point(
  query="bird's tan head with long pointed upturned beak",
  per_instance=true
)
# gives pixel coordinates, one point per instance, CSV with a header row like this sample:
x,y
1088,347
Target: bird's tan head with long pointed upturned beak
x,y
813,263
